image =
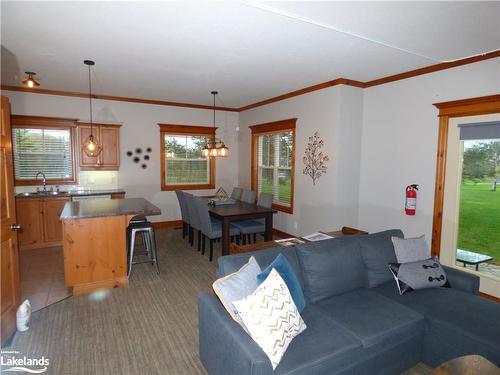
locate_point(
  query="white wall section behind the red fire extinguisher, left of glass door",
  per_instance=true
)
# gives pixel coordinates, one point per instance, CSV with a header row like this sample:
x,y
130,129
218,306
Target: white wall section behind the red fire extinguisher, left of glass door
x,y
399,142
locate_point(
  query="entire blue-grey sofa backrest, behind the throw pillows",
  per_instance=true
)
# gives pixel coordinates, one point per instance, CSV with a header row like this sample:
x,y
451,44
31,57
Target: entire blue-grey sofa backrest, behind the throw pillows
x,y
330,267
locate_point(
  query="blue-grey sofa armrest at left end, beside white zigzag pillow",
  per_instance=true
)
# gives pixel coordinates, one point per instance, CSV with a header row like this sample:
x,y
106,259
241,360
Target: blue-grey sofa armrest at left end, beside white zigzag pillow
x,y
225,348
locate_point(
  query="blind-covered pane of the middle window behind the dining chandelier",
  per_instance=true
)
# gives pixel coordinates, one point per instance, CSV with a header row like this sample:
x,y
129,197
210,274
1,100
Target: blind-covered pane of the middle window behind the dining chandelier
x,y
184,162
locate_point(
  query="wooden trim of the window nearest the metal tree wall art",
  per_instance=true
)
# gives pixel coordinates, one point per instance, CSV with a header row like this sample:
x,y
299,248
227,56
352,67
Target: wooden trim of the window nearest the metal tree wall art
x,y
270,128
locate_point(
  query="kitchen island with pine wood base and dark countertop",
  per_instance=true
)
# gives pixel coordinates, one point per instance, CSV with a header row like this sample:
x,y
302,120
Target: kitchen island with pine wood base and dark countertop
x,y
94,241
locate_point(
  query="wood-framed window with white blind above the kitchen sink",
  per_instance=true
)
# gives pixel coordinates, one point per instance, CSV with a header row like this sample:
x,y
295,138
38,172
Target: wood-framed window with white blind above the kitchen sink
x,y
42,144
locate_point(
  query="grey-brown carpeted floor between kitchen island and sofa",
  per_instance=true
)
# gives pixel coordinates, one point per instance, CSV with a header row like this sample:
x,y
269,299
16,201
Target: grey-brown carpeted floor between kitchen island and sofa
x,y
149,328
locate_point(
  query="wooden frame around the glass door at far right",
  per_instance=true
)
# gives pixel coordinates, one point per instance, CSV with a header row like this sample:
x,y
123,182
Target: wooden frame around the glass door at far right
x,y
457,108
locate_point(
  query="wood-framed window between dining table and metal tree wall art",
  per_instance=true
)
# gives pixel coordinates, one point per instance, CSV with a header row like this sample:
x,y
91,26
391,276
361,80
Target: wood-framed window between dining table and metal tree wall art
x,y
273,158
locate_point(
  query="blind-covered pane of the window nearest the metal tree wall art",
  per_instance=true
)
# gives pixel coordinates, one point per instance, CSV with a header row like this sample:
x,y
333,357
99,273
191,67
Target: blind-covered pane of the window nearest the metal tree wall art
x,y
274,157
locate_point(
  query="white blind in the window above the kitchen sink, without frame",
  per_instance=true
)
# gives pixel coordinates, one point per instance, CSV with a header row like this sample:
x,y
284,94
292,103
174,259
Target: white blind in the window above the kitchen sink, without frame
x,y
45,150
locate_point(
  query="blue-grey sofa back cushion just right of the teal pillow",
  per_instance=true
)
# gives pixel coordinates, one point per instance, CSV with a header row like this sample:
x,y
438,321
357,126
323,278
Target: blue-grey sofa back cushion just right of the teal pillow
x,y
331,267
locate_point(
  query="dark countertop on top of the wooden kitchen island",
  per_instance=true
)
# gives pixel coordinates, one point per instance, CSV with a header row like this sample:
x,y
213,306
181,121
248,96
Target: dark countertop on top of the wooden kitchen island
x,y
106,208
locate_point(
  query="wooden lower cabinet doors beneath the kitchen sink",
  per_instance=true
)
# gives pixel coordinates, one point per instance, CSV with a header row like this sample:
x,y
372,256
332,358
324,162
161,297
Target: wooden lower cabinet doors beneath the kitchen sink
x,y
40,222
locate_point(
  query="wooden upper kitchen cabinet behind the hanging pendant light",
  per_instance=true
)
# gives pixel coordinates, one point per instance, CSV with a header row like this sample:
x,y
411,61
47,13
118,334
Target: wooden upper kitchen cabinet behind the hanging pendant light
x,y
109,137
